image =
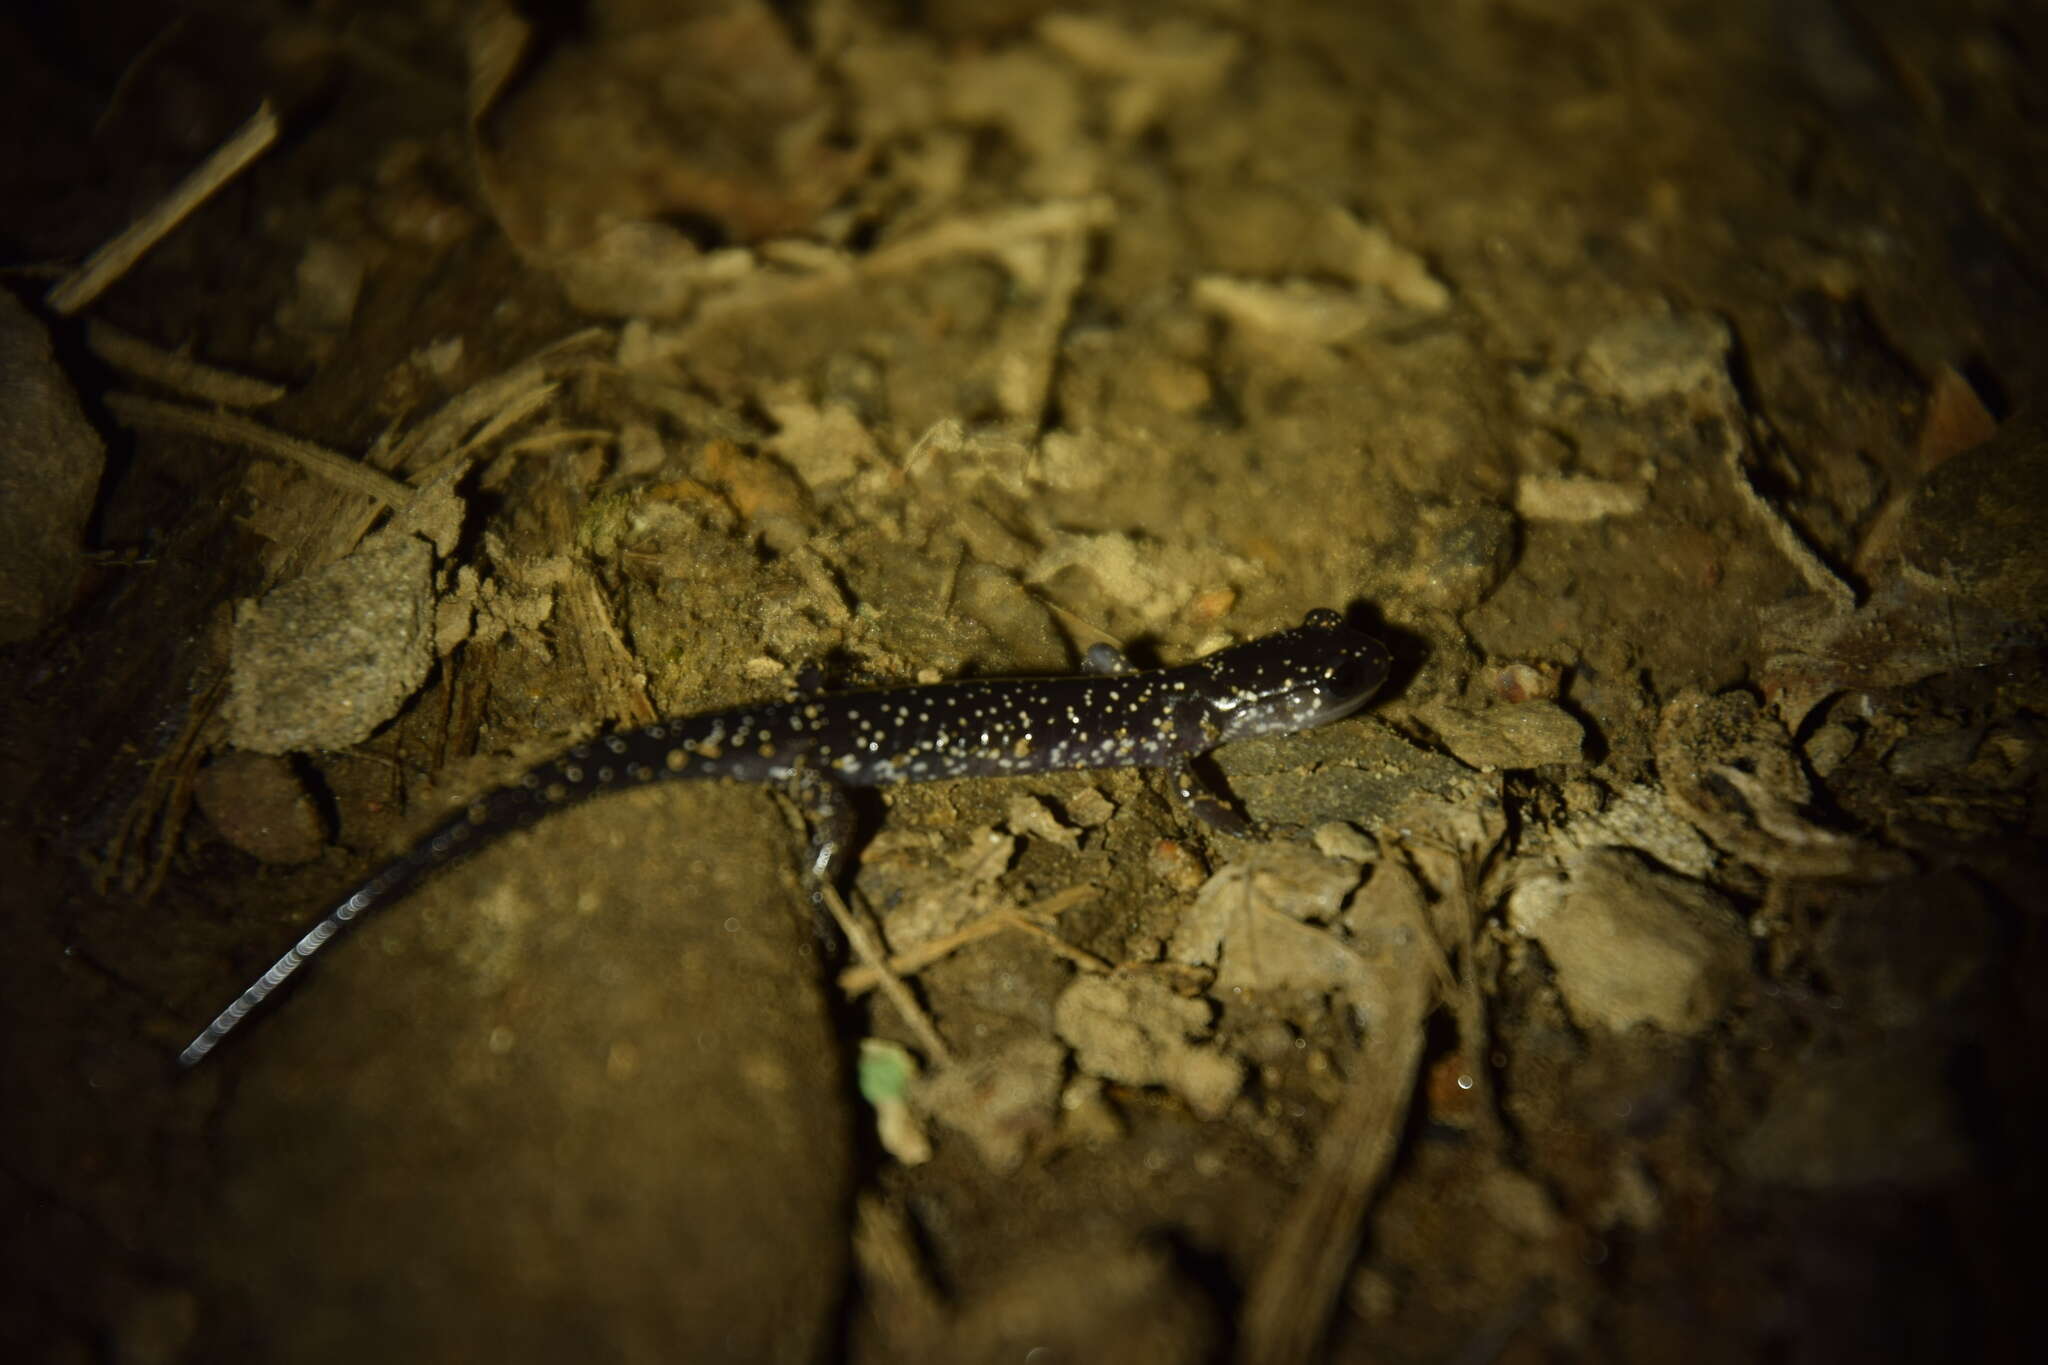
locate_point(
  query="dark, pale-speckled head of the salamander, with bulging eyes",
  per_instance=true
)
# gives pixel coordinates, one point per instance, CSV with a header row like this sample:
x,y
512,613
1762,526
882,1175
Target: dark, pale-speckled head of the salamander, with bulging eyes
x,y
1293,680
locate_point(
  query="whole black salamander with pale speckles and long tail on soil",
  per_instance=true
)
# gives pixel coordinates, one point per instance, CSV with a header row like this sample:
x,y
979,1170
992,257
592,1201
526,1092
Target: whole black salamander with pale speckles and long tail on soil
x,y
816,748
